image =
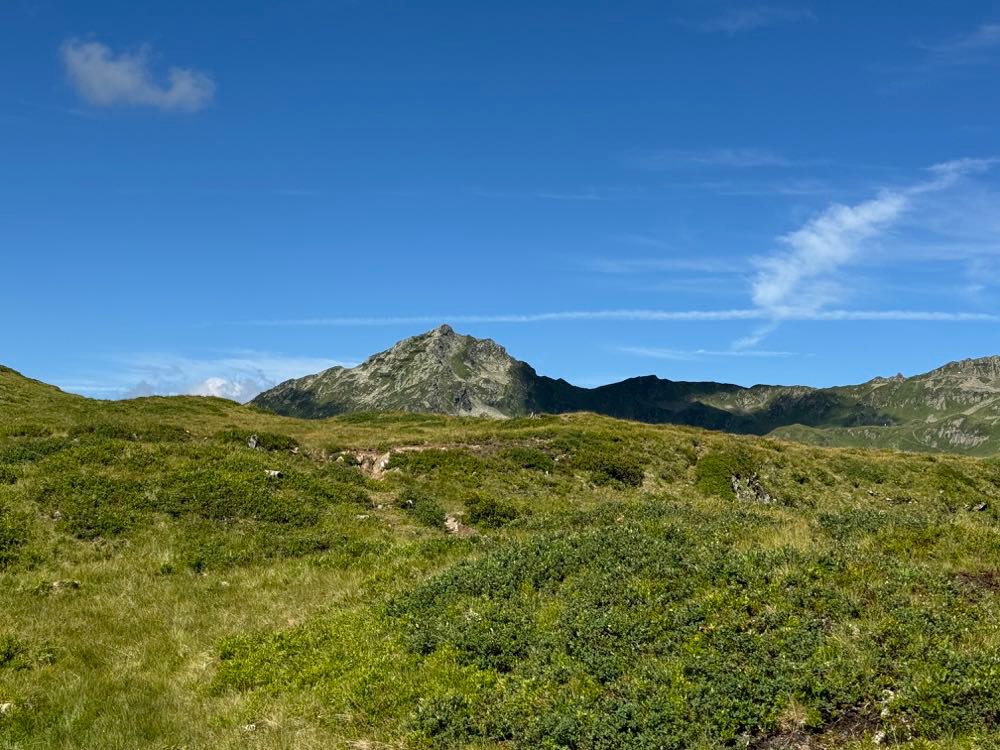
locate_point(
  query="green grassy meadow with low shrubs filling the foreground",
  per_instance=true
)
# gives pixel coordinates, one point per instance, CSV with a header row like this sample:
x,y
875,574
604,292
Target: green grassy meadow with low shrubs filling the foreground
x,y
158,588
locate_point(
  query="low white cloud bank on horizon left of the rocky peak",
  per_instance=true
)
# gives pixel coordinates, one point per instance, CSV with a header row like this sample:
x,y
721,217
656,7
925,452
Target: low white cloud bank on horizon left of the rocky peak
x,y
237,375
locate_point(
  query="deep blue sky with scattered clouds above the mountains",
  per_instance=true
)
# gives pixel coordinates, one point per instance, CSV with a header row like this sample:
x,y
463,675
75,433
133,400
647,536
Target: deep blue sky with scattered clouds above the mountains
x,y
214,197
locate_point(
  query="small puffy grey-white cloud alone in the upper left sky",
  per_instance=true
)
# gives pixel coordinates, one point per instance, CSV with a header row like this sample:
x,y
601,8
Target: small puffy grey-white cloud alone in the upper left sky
x,y
105,79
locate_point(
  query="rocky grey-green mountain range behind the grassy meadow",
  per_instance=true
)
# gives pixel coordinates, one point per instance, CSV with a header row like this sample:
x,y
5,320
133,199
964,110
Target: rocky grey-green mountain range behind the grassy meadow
x,y
953,408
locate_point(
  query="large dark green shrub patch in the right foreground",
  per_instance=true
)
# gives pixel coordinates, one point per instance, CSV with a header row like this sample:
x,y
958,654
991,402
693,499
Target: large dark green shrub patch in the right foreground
x,y
648,634
